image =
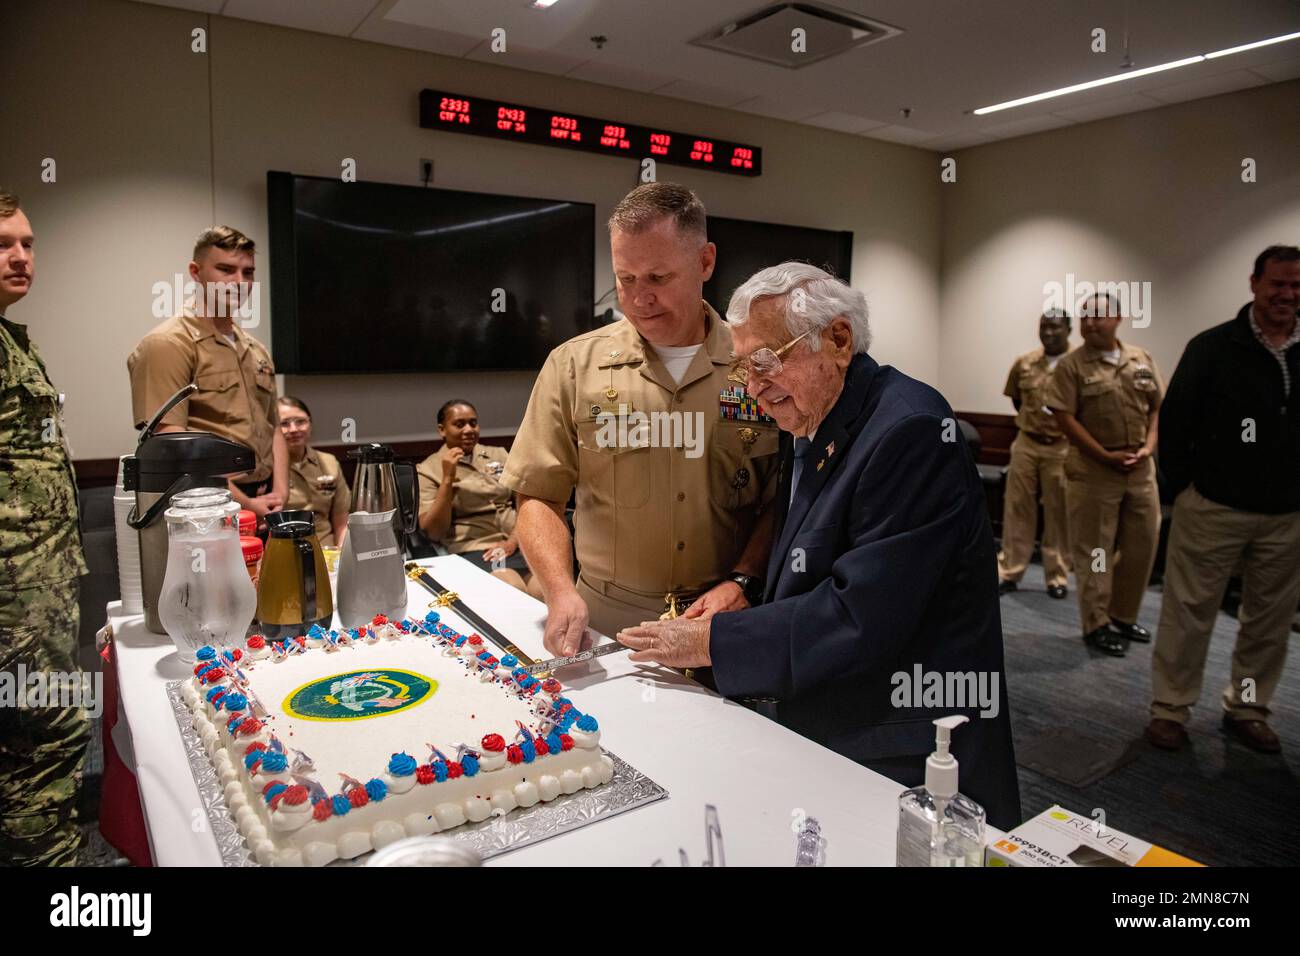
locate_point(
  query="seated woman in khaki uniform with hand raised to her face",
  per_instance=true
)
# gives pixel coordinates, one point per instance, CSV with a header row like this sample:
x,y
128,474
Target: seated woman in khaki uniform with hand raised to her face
x,y
463,503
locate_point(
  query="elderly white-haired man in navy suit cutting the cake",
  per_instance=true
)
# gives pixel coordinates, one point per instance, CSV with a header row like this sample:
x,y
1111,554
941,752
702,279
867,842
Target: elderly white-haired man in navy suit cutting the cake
x,y
881,607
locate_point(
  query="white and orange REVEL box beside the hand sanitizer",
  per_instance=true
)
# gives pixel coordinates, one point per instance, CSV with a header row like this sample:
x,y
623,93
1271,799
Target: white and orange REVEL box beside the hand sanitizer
x,y
1061,838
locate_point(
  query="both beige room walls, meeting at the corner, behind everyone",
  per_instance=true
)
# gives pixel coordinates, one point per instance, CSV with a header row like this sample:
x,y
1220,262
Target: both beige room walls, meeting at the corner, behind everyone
x,y
154,142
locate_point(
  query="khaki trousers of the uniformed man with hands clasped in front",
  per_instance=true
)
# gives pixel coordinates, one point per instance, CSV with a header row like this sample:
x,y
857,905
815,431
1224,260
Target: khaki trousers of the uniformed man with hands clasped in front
x,y
1115,531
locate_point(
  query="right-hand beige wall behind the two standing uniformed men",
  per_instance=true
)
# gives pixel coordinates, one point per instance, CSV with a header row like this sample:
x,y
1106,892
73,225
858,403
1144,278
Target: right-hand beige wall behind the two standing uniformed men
x,y
1151,197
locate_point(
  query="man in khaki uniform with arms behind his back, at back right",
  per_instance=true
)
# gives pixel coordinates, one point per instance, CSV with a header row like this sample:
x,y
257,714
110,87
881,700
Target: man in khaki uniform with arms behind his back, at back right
x,y
1038,466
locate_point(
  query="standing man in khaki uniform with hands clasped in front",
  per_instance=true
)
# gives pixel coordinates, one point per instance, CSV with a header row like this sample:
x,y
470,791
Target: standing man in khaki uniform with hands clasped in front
x,y
1107,396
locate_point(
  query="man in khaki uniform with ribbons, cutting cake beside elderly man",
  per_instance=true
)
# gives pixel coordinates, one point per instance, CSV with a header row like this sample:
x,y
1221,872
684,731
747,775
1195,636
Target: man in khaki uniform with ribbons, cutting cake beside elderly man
x,y
671,464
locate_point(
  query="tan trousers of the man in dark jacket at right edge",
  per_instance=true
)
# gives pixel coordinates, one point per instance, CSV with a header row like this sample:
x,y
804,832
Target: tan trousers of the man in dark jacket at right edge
x,y
1206,546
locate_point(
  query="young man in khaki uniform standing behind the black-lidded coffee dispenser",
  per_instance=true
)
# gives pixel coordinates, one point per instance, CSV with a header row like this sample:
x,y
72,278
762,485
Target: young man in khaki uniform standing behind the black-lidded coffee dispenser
x,y
235,374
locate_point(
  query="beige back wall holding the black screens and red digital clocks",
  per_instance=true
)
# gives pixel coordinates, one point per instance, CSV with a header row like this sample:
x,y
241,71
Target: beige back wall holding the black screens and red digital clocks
x,y
112,92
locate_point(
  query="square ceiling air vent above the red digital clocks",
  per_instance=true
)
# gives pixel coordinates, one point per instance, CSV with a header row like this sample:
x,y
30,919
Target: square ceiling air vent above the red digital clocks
x,y
769,34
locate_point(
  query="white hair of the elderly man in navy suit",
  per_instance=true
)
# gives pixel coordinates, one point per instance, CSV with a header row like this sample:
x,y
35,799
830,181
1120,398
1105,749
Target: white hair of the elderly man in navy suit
x,y
813,300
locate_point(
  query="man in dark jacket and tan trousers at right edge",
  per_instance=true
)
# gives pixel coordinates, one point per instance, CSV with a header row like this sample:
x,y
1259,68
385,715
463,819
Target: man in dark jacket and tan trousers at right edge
x,y
1230,449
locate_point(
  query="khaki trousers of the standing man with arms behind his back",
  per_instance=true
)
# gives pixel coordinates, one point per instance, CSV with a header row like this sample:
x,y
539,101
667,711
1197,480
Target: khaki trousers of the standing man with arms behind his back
x,y
1035,470
